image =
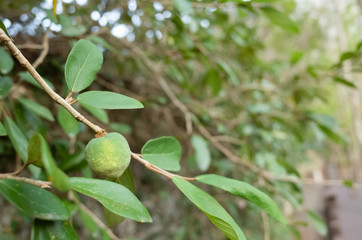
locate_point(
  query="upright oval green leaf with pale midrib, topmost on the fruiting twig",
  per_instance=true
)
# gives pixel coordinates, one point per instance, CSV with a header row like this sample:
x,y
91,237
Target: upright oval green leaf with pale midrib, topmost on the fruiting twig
x,y
83,63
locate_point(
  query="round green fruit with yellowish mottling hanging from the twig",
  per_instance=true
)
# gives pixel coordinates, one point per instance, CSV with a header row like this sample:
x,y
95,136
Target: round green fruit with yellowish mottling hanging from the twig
x,y
109,155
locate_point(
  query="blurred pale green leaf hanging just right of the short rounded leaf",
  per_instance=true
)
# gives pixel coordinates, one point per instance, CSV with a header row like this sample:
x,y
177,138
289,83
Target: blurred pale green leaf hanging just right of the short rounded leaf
x,y
202,152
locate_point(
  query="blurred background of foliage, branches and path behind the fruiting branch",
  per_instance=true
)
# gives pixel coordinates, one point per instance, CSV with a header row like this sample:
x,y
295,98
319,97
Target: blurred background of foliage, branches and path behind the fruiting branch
x,y
266,91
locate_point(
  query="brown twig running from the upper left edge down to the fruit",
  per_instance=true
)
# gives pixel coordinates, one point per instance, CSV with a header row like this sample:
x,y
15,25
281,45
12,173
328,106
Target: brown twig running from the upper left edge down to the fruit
x,y
58,99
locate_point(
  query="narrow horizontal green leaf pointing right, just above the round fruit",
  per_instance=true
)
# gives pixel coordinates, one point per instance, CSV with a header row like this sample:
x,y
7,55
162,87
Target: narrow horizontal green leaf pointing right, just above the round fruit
x,y
108,100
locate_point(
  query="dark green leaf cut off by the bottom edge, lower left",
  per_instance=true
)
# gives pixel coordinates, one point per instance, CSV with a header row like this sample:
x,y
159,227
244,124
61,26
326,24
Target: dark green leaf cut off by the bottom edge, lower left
x,y
53,230
